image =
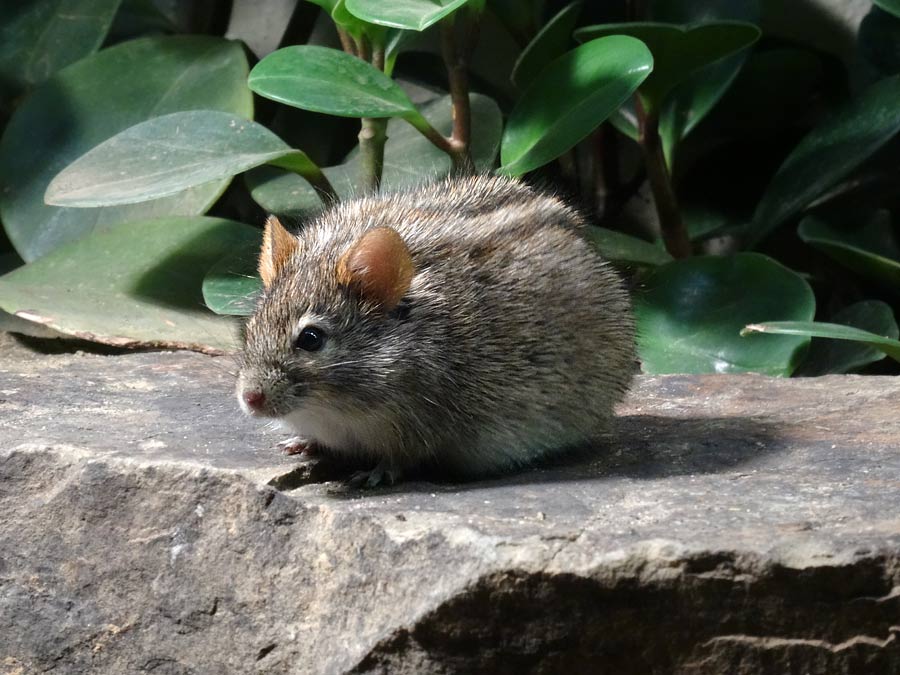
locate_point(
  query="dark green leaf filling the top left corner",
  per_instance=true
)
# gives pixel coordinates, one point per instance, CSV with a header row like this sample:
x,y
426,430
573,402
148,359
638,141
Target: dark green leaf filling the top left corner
x,y
39,37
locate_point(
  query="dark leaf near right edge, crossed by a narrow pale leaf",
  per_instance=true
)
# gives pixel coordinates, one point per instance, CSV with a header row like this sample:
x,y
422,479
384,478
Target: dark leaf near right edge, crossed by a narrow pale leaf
x,y
843,356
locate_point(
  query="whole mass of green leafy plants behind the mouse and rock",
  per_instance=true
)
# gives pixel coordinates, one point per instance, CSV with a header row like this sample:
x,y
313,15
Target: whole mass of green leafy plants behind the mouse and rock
x,y
770,166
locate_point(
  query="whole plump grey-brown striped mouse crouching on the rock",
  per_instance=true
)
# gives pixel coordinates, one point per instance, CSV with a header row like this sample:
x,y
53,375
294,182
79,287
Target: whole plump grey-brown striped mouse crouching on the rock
x,y
467,325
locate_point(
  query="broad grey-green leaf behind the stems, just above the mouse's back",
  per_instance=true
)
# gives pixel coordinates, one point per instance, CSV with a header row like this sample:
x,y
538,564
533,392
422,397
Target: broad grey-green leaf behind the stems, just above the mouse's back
x,y
409,159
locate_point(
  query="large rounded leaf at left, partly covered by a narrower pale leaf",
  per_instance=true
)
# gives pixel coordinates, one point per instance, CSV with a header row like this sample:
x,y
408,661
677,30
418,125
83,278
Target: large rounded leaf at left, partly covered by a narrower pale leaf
x,y
94,99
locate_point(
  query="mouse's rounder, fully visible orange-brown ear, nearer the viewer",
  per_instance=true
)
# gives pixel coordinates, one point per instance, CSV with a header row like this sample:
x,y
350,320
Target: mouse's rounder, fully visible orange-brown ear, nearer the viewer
x,y
379,266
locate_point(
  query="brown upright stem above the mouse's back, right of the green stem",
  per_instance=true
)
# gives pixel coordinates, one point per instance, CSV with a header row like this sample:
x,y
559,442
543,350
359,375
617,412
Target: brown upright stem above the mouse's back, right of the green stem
x,y
456,62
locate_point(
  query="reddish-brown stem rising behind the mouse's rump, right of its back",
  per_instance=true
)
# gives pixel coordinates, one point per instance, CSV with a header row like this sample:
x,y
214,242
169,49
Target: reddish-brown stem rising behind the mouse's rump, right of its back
x,y
674,232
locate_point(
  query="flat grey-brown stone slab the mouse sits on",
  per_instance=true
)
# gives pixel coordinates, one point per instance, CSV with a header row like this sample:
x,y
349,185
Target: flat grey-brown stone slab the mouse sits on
x,y
736,524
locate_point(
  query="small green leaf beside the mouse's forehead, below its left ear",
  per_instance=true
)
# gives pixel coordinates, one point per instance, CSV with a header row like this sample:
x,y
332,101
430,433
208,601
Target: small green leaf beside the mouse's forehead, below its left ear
x,y
232,285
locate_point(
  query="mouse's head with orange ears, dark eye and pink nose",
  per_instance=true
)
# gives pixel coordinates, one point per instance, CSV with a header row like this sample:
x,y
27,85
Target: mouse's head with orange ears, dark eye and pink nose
x,y
328,328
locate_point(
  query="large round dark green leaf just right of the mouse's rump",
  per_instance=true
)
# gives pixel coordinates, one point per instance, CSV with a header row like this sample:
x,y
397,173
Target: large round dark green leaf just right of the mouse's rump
x,y
690,314
